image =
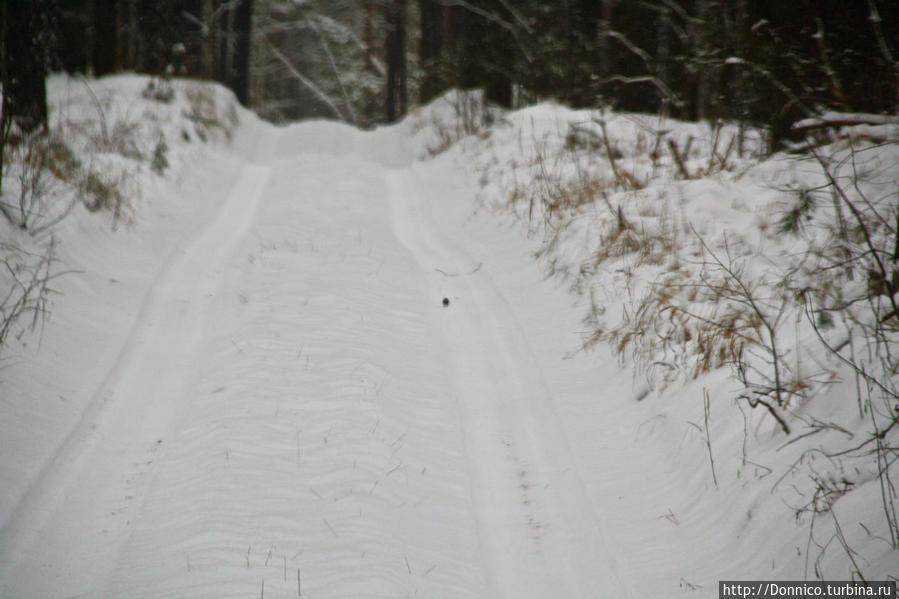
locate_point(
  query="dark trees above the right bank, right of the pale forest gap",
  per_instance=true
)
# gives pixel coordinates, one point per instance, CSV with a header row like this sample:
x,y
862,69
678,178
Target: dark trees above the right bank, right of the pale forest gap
x,y
764,61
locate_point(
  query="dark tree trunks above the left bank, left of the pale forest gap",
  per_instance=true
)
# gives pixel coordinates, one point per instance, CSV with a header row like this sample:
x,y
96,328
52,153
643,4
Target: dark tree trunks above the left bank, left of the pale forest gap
x,y
201,38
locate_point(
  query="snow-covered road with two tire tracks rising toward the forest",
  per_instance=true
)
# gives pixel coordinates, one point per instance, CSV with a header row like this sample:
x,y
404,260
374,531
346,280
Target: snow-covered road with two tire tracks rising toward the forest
x,y
294,411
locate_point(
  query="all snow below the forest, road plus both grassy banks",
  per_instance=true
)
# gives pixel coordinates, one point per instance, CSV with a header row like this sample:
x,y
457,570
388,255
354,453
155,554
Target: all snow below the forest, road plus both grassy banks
x,y
247,378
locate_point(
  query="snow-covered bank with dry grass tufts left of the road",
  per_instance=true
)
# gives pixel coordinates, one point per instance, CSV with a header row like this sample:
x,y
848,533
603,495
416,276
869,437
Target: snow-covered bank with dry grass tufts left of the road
x,y
105,138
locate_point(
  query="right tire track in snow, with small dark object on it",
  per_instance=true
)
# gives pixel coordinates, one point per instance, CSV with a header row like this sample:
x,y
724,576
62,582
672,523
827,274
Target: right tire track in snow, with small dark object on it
x,y
538,533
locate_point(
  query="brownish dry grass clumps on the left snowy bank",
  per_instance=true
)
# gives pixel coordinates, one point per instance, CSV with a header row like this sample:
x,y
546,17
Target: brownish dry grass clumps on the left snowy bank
x,y
93,160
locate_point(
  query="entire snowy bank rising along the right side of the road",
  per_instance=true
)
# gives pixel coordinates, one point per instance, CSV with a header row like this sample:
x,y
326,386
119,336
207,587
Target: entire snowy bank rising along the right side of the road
x,y
758,287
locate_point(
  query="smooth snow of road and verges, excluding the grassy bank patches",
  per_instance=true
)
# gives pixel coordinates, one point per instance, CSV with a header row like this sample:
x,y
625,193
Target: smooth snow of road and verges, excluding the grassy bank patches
x,y
255,388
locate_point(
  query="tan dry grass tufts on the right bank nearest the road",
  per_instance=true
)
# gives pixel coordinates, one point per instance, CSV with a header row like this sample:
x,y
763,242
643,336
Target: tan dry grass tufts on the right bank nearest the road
x,y
681,304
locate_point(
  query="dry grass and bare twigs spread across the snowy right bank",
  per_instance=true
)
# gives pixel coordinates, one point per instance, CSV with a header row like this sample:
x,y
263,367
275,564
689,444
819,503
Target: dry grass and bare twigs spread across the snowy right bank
x,y
811,303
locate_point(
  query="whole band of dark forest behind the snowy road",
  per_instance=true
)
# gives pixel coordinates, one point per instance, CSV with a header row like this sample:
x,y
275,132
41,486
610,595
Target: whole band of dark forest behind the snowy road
x,y
762,63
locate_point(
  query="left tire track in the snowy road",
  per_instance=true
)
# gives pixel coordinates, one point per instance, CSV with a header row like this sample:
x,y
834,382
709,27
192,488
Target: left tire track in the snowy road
x,y
64,536
